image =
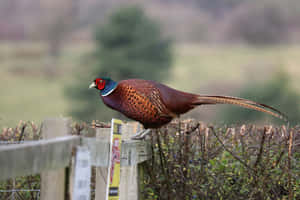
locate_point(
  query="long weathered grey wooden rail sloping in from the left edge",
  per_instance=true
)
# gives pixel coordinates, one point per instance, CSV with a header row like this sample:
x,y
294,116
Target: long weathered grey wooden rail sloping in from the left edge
x,y
35,157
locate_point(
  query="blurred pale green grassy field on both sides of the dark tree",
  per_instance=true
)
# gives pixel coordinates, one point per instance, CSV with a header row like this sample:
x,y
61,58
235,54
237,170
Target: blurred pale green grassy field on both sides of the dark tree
x,y
28,94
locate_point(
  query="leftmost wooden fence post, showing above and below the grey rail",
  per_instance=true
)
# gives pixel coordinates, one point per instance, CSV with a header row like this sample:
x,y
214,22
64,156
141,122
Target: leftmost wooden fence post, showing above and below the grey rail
x,y
53,182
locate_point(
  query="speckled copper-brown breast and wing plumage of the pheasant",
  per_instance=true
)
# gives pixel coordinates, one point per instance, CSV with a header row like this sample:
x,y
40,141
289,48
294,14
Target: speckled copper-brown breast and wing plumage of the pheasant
x,y
140,100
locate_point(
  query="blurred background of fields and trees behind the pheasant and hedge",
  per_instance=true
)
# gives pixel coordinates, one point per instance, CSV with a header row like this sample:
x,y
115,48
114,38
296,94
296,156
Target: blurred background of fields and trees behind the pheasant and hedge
x,y
51,50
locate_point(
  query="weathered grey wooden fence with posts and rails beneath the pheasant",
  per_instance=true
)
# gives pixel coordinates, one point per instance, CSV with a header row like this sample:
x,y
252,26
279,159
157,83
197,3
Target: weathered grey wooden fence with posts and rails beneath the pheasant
x,y
56,152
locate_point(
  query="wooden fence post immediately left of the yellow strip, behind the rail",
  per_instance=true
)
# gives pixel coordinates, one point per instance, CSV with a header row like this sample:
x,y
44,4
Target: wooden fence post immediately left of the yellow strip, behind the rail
x,y
101,172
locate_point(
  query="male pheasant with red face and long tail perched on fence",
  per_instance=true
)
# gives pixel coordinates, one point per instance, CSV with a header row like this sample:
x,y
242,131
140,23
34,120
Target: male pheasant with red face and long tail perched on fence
x,y
154,104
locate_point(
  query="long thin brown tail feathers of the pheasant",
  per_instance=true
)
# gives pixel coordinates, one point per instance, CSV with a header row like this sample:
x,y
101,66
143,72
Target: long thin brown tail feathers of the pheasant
x,y
240,102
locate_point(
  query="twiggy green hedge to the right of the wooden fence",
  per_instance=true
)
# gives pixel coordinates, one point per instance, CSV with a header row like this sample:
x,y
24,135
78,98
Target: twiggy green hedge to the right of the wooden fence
x,y
203,162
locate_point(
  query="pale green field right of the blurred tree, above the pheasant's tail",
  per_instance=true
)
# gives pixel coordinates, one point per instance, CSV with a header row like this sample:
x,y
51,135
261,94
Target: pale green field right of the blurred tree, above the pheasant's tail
x,y
197,66
